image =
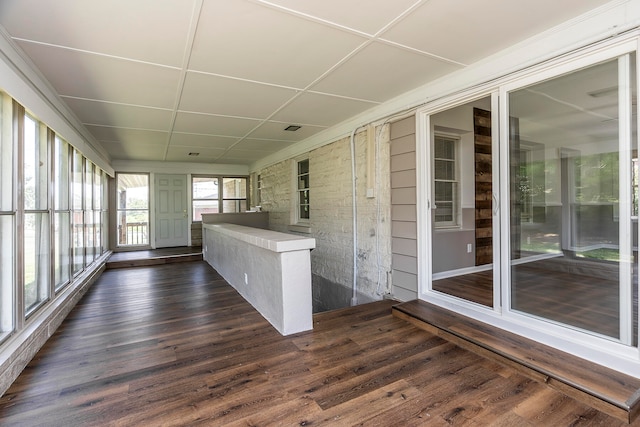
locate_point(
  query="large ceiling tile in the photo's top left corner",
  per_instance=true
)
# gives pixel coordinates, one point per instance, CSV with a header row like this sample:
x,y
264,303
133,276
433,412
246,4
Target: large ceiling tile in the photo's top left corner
x,y
146,30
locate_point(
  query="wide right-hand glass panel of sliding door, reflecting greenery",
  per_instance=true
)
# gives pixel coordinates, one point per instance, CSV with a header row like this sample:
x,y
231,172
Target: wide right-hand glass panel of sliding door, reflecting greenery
x,y
572,216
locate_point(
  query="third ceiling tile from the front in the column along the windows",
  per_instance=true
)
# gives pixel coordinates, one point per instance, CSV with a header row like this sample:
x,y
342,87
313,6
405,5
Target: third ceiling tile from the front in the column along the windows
x,y
120,115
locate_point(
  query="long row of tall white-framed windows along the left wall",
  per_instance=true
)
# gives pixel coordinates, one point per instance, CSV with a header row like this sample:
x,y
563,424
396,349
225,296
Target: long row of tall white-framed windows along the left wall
x,y
47,207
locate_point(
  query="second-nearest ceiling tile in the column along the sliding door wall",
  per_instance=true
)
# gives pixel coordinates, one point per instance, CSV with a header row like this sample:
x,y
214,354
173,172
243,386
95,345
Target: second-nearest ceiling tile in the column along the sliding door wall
x,y
381,71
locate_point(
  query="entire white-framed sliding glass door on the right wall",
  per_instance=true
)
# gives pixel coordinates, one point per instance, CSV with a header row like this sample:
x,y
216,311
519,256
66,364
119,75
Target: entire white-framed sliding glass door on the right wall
x,y
528,203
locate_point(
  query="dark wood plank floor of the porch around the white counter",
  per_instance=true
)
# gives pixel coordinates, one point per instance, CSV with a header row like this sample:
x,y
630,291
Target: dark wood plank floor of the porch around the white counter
x,y
168,345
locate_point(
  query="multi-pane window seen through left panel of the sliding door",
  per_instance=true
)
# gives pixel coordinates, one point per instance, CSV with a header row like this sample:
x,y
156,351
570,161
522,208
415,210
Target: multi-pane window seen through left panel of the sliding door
x,y
445,181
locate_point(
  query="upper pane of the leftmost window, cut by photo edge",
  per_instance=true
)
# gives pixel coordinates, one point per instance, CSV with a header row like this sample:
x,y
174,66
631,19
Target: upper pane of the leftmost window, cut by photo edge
x,y
6,154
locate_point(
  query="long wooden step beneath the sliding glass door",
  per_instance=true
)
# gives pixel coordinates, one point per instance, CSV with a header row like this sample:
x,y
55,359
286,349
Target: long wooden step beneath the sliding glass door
x,y
613,392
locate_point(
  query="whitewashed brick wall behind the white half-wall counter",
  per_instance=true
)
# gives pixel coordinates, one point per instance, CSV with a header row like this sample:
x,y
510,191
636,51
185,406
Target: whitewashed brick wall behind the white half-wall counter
x,y
331,218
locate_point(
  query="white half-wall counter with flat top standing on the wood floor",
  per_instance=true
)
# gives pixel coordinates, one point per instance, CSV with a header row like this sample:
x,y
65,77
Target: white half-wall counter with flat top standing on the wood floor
x,y
271,270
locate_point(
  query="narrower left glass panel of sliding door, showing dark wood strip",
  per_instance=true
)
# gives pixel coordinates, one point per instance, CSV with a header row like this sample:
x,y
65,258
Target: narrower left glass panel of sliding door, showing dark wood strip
x,y
462,202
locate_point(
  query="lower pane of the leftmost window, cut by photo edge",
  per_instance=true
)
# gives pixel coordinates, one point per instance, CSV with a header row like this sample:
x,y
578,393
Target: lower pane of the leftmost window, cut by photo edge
x,y
6,274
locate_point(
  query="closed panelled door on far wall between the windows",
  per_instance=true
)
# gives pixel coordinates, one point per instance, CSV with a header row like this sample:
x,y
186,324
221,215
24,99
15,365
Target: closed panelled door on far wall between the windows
x,y
171,211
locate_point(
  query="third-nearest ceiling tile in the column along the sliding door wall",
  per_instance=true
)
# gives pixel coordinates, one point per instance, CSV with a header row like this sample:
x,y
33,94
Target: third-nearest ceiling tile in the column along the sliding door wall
x,y
320,110
